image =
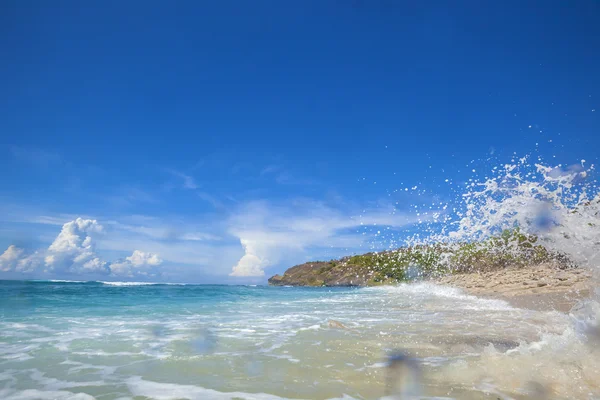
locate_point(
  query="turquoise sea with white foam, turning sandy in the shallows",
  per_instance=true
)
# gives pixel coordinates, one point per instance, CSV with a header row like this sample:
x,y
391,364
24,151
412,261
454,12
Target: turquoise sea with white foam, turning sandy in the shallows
x,y
93,340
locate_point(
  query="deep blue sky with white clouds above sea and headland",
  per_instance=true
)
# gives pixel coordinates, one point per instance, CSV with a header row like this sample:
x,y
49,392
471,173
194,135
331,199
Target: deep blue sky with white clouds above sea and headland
x,y
211,137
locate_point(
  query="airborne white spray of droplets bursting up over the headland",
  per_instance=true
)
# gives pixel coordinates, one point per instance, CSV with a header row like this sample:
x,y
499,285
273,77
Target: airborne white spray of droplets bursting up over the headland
x,y
559,206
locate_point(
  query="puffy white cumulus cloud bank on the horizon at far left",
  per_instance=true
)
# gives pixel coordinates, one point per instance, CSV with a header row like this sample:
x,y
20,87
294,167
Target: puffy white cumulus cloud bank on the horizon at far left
x,y
73,251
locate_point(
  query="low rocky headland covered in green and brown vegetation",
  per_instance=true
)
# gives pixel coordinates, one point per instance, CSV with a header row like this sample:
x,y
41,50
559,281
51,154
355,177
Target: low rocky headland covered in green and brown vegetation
x,y
510,249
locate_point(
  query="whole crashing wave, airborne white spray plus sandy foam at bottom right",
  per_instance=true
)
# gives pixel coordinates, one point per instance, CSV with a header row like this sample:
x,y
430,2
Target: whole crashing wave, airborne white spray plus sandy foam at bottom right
x,y
554,207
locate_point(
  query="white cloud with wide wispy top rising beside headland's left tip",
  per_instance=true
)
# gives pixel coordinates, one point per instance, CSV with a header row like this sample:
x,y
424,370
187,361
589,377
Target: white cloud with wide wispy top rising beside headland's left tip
x,y
270,233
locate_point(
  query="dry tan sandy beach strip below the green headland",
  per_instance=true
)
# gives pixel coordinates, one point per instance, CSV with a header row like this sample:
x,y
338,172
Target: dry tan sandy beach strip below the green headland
x,y
542,287
